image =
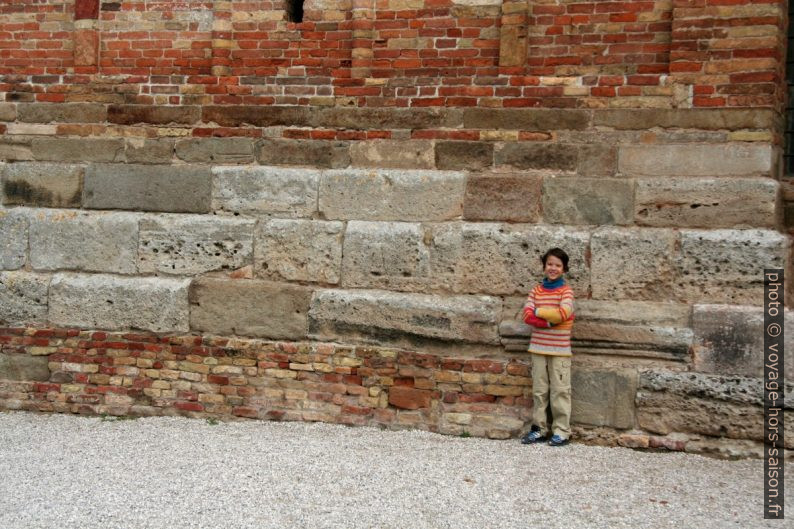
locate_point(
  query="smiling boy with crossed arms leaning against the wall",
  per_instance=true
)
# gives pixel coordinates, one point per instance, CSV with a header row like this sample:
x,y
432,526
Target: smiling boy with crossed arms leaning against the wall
x,y
549,309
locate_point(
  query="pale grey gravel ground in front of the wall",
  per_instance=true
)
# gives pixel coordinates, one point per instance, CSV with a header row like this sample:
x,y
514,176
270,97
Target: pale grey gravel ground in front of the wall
x,y
62,471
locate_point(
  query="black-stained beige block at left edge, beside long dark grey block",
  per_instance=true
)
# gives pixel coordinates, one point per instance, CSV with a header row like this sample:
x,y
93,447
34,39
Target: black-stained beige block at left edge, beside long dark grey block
x,y
43,184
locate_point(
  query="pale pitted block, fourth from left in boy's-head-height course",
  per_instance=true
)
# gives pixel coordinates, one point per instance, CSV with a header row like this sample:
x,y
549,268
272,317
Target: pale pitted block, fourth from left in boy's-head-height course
x,y
299,250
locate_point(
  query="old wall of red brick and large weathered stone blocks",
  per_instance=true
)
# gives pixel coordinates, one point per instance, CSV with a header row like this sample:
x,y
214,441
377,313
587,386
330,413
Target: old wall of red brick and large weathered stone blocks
x,y
216,212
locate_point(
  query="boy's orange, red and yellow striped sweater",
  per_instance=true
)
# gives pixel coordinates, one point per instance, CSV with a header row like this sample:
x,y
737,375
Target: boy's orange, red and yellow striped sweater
x,y
555,306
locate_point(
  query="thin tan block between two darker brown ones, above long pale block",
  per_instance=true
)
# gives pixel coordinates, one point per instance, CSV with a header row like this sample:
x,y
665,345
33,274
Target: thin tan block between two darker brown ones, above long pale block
x,y
393,154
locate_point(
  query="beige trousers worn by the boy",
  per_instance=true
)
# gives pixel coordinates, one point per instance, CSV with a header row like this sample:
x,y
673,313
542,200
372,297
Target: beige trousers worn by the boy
x,y
551,384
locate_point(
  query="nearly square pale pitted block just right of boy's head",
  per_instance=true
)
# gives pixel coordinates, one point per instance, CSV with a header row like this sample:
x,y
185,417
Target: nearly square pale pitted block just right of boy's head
x,y
630,263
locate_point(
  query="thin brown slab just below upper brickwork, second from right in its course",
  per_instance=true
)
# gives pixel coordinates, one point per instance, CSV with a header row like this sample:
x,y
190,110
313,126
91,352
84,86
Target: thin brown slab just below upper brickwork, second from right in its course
x,y
526,119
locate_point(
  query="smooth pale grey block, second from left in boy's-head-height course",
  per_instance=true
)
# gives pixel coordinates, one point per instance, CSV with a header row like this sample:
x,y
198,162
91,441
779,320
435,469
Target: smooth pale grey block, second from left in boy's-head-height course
x,y
83,241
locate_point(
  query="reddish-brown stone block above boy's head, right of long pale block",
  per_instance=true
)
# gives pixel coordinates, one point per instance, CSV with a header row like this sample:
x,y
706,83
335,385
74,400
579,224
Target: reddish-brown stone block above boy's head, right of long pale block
x,y
514,197
